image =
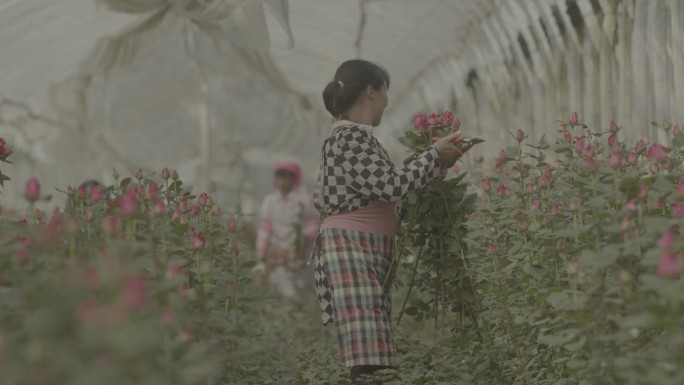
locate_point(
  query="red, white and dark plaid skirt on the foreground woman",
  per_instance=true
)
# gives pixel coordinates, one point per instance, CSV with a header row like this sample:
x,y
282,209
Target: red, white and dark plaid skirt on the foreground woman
x,y
350,270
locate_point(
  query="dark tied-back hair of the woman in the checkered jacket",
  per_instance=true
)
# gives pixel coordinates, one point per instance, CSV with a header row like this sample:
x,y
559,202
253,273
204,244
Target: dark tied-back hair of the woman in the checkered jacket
x,y
351,79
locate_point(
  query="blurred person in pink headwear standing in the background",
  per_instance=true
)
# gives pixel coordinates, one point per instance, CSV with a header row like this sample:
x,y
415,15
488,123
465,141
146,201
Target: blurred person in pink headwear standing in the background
x,y
288,224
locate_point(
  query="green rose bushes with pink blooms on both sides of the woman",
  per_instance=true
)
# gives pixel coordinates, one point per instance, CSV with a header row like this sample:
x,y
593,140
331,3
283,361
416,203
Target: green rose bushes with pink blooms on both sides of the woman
x,y
560,266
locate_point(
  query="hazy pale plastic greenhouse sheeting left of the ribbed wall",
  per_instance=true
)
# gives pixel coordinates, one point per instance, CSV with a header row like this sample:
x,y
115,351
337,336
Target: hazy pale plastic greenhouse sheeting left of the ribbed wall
x,y
110,88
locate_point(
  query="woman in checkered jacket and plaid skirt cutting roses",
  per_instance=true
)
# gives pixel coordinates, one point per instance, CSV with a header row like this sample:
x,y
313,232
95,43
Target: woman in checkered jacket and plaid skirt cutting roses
x,y
357,192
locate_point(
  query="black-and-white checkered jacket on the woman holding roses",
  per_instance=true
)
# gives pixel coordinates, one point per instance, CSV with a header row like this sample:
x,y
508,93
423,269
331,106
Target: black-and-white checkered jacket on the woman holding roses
x,y
356,170
